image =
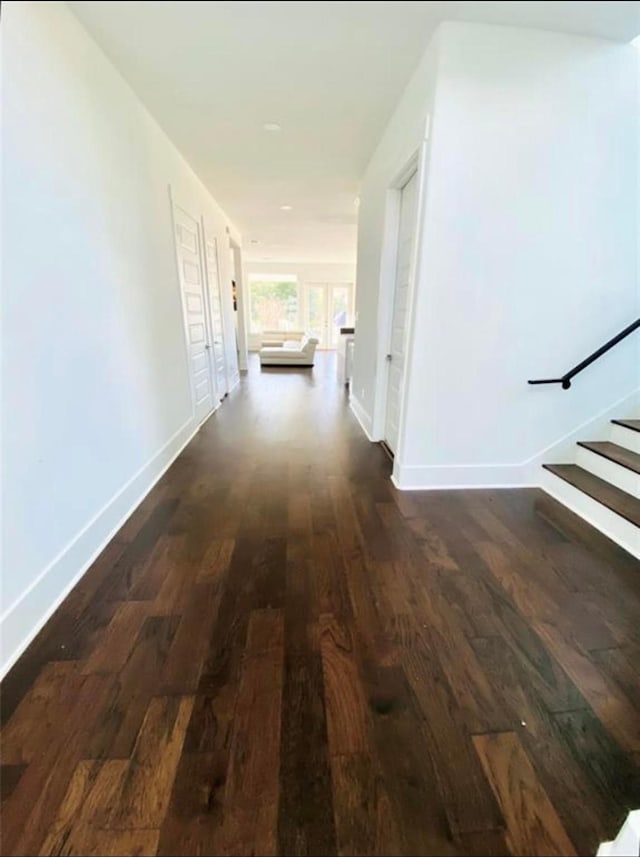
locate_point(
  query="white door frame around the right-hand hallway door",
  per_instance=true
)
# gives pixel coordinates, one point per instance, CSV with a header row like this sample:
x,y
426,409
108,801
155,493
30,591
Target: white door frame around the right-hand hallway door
x,y
415,163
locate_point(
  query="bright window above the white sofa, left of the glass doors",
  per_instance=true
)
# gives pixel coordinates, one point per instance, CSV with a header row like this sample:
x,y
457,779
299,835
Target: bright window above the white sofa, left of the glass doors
x,y
274,303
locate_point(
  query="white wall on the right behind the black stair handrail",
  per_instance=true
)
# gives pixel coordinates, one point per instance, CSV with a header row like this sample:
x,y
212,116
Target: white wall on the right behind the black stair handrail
x,y
527,251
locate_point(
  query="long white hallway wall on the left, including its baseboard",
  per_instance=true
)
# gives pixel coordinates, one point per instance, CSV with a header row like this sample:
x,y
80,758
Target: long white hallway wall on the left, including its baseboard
x,y
96,399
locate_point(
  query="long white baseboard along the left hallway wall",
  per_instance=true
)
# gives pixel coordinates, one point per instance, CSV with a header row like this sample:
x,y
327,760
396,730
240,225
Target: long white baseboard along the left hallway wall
x,y
23,619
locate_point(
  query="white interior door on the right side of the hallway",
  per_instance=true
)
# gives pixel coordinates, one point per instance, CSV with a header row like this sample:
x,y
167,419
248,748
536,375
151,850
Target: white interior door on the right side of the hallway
x,y
398,343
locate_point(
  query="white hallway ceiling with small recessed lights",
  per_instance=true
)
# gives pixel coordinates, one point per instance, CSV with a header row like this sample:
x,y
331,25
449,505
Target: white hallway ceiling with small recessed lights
x,y
329,73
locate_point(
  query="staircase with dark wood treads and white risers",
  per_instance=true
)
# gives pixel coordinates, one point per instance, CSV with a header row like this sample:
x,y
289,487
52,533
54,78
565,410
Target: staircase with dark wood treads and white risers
x,y
603,485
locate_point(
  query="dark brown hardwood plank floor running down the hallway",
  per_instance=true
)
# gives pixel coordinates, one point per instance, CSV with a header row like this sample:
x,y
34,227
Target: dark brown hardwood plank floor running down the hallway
x,y
281,654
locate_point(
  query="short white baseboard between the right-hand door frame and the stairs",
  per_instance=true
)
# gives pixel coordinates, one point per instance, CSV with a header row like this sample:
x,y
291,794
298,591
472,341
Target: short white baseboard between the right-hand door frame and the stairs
x,y
436,477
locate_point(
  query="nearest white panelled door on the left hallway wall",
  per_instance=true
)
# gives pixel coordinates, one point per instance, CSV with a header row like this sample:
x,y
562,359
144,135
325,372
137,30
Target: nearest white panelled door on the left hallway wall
x,y
192,283
